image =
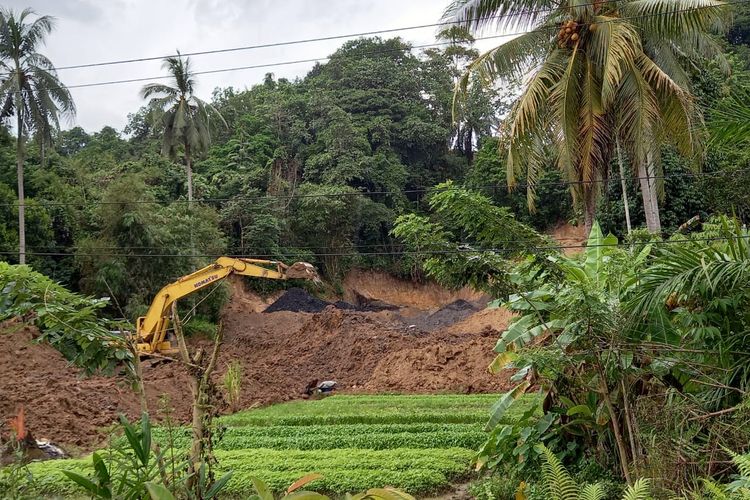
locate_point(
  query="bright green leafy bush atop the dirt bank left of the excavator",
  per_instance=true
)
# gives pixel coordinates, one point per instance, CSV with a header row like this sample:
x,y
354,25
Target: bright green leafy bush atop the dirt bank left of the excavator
x,y
66,320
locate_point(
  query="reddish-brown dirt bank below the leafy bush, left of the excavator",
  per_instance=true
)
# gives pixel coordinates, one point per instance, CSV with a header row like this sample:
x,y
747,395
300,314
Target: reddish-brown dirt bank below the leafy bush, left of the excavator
x,y
60,404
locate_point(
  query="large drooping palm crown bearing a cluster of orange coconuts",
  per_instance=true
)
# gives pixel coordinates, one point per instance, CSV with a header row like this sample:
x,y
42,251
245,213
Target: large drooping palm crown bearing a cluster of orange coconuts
x,y
596,72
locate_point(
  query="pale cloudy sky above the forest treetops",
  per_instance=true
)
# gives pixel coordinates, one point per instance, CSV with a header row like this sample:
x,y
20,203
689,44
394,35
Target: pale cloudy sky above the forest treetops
x,y
90,31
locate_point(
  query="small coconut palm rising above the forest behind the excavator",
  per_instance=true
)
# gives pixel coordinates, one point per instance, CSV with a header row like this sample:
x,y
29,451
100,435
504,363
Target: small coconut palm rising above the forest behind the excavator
x,y
186,118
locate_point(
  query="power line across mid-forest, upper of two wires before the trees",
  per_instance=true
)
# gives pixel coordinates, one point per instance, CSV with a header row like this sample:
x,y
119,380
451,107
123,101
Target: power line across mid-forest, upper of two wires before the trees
x,y
433,189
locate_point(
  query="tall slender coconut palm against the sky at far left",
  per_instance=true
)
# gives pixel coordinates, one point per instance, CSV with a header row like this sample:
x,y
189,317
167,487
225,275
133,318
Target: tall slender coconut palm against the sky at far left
x,y
30,91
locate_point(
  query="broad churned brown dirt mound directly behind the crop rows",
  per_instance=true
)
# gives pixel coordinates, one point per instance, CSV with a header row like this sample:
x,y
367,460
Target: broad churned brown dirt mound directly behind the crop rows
x,y
362,351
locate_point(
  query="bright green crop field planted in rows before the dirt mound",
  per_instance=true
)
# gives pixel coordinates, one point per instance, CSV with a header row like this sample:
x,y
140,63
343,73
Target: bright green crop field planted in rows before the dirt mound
x,y
420,444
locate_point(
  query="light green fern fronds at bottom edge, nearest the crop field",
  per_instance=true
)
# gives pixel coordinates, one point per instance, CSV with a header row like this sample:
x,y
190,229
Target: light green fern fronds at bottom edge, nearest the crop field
x,y
558,484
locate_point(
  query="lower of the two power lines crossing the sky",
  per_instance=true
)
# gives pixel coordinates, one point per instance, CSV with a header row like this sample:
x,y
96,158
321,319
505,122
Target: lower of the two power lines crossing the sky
x,y
324,58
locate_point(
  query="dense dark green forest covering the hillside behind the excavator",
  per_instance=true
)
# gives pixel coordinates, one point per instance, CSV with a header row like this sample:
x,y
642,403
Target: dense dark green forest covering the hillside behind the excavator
x,y
313,169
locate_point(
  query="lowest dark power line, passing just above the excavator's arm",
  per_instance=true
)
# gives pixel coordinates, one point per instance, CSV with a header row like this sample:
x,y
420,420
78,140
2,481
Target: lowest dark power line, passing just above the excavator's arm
x,y
454,251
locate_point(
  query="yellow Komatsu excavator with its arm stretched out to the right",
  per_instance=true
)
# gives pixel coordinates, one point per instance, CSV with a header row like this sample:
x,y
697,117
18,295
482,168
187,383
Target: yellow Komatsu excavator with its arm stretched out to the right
x,y
151,329
